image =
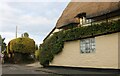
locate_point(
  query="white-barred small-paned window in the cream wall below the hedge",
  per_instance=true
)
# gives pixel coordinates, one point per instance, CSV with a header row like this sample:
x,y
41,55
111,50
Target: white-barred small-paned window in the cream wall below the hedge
x,y
87,45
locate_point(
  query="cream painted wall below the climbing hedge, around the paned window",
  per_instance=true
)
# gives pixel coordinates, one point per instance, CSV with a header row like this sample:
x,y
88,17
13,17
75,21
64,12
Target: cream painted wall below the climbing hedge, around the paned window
x,y
105,56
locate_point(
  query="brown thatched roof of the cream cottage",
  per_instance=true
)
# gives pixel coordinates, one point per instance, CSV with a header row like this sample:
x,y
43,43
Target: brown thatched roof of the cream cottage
x,y
91,9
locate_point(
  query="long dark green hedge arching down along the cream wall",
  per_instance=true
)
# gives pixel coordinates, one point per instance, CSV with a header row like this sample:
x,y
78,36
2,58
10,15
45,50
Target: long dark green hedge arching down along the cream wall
x,y
54,44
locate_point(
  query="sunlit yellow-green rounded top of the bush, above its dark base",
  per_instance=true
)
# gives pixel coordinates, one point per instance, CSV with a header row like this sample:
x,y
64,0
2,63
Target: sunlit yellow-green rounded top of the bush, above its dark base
x,y
22,45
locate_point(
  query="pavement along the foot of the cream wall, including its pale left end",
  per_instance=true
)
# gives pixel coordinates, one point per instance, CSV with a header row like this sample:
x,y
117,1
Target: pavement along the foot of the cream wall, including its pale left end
x,y
69,70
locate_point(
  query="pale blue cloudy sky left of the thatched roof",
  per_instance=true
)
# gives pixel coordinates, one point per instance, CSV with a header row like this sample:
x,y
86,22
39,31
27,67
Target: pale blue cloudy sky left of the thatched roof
x,y
37,18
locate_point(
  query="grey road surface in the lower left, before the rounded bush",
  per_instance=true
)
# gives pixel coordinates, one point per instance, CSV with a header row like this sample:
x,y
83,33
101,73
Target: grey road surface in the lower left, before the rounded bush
x,y
20,69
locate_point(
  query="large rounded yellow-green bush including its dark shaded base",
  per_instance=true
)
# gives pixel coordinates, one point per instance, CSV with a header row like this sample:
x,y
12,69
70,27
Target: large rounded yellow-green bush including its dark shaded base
x,y
21,50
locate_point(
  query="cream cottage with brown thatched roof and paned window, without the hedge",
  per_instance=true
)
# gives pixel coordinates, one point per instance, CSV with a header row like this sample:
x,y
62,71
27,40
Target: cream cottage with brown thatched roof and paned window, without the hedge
x,y
99,51
